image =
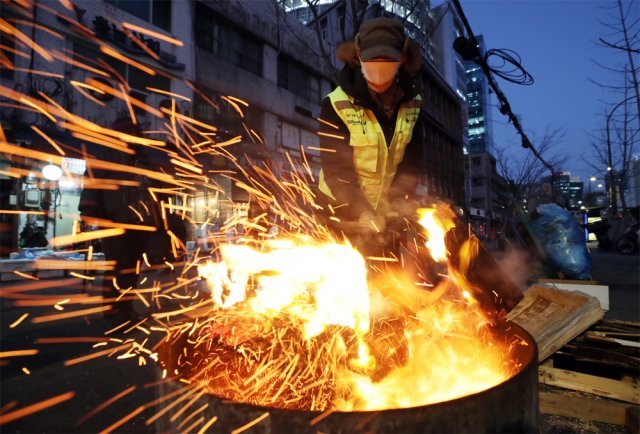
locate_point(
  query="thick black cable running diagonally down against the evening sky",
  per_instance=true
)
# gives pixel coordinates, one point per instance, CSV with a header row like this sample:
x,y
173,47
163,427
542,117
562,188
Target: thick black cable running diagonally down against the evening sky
x,y
469,51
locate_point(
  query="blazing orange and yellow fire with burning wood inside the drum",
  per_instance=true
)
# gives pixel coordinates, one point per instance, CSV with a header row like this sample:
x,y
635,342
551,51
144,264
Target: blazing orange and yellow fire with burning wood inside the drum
x,y
298,326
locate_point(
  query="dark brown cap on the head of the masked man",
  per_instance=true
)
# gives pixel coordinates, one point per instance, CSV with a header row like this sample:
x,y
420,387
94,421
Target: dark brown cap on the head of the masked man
x,y
381,37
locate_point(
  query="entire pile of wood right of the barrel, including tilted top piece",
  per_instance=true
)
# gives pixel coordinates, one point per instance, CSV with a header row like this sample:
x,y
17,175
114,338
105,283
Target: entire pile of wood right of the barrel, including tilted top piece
x,y
595,361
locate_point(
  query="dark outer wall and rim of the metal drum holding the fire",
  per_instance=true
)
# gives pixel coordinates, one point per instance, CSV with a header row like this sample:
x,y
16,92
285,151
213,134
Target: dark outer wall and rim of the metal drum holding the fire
x,y
509,407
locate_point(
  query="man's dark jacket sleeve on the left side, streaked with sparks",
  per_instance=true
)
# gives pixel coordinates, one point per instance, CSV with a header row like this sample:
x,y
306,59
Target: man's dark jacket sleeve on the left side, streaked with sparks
x,y
337,164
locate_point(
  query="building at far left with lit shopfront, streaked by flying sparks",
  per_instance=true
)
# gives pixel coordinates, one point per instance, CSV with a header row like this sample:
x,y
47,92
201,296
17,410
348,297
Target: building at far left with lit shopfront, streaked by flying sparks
x,y
78,47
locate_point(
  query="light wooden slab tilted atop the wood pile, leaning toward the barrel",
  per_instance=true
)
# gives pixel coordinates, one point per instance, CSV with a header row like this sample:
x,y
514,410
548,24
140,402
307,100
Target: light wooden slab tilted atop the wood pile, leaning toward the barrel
x,y
554,317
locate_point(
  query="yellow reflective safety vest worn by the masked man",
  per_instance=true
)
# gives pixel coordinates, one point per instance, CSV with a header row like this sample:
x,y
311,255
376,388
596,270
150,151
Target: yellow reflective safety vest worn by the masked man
x,y
375,162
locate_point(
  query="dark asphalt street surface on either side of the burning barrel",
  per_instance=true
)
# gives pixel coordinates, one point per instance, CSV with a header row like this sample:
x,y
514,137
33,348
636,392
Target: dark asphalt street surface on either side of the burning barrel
x,y
96,381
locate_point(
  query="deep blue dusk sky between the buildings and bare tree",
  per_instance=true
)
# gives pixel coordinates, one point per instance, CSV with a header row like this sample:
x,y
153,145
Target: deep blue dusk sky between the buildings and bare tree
x,y
556,41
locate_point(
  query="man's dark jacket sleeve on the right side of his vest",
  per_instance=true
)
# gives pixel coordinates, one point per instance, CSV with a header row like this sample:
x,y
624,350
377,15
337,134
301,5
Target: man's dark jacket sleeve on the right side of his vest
x,y
410,168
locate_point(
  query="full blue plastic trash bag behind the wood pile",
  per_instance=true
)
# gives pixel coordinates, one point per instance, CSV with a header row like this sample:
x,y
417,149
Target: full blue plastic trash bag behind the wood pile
x,y
563,241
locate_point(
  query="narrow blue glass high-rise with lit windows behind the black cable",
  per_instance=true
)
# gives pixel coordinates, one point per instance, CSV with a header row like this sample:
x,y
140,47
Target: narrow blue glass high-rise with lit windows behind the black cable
x,y
479,107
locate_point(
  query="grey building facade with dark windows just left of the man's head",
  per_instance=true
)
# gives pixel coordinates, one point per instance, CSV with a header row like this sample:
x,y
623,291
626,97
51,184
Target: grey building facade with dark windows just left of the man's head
x,y
253,52
